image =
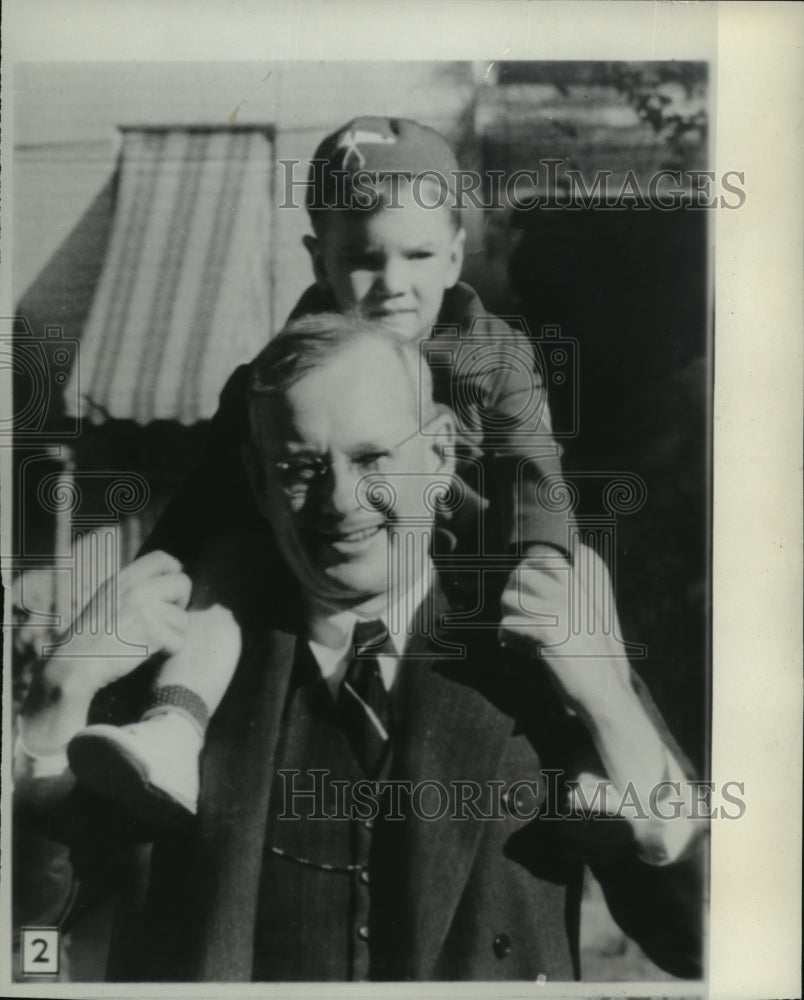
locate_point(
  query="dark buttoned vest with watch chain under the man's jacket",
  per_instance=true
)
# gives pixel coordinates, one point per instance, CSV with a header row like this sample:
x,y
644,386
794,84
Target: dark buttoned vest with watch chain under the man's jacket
x,y
329,892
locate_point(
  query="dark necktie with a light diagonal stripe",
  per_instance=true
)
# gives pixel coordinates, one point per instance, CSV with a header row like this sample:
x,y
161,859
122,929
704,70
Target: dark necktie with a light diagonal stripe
x,y
363,700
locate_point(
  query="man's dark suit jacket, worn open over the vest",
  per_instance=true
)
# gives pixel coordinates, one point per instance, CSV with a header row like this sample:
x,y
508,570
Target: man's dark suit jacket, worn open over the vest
x,y
483,900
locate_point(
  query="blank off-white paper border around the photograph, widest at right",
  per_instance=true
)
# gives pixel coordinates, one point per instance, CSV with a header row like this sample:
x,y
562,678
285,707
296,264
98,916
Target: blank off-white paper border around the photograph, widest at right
x,y
755,913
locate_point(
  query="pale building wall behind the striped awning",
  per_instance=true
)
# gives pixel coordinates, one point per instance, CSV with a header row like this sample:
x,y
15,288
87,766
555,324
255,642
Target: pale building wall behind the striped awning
x,y
66,141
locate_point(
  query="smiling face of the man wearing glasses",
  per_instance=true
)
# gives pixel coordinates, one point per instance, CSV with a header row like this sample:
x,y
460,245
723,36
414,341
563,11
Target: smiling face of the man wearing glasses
x,y
355,418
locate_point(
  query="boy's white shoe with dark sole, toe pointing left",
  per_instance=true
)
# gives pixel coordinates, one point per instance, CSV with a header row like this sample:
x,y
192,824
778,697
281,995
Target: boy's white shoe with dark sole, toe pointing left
x,y
150,767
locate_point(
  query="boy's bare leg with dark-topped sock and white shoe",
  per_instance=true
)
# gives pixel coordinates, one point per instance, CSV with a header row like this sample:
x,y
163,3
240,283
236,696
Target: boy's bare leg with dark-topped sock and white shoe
x,y
151,766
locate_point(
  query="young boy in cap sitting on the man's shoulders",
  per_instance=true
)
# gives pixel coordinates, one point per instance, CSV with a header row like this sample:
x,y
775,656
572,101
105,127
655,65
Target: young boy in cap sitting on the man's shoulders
x,y
388,244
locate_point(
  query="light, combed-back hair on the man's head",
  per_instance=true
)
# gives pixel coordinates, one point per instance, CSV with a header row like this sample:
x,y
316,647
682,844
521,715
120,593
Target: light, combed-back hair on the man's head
x,y
311,342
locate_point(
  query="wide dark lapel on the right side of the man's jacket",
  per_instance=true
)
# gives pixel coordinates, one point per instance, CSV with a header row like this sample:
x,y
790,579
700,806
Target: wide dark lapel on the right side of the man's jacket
x,y
451,733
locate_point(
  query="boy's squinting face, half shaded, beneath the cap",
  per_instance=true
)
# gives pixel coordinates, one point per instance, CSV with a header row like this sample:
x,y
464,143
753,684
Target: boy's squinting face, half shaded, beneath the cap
x,y
393,264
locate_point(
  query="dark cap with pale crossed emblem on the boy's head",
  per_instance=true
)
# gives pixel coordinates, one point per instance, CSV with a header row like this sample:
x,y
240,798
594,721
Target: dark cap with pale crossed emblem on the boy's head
x,y
374,147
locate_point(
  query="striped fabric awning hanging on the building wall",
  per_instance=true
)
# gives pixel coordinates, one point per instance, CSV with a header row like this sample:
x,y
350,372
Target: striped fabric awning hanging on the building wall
x,y
184,292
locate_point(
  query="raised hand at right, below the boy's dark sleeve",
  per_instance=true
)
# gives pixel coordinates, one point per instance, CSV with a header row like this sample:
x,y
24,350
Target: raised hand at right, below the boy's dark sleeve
x,y
567,612
